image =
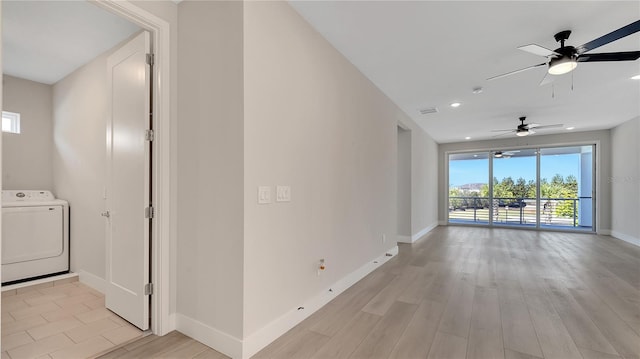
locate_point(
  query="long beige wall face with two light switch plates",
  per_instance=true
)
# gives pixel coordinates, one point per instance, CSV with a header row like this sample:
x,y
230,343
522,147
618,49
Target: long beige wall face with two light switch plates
x,y
315,123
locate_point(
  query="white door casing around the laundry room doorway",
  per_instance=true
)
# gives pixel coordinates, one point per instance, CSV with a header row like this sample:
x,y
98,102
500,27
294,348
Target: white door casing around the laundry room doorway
x,y
163,225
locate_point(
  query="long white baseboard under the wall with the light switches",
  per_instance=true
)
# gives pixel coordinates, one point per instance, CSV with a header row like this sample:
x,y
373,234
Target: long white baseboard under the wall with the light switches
x,y
263,337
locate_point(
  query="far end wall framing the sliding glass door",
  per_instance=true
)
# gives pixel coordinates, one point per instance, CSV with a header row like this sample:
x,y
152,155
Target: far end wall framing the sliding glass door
x,y
603,167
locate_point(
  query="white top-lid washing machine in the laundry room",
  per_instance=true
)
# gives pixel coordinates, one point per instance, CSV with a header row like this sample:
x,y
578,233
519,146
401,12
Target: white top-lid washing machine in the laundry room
x,y
35,235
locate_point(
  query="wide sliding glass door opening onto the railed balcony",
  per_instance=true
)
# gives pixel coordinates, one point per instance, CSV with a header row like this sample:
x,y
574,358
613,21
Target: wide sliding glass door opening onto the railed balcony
x,y
549,188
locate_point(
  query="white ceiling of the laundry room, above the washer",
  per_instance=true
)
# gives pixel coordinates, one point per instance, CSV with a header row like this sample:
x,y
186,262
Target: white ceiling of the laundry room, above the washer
x,y
44,41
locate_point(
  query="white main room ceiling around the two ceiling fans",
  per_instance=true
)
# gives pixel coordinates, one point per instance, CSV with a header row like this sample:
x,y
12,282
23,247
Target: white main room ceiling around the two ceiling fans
x,y
432,53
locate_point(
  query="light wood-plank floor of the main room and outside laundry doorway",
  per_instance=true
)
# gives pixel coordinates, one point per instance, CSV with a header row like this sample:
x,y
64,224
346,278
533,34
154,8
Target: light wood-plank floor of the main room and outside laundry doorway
x,y
464,292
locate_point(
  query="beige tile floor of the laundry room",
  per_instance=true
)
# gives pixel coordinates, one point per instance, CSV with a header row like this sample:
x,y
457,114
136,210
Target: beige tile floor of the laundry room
x,y
60,319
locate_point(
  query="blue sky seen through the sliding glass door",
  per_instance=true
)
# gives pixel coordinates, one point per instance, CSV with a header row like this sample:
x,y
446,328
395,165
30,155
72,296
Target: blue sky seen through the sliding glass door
x,y
477,171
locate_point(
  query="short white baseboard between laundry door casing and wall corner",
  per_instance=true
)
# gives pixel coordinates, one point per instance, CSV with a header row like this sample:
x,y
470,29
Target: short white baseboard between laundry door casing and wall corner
x,y
220,341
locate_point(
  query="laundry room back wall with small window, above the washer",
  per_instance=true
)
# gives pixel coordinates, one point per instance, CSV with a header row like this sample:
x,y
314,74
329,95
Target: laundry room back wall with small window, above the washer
x,y
27,156
